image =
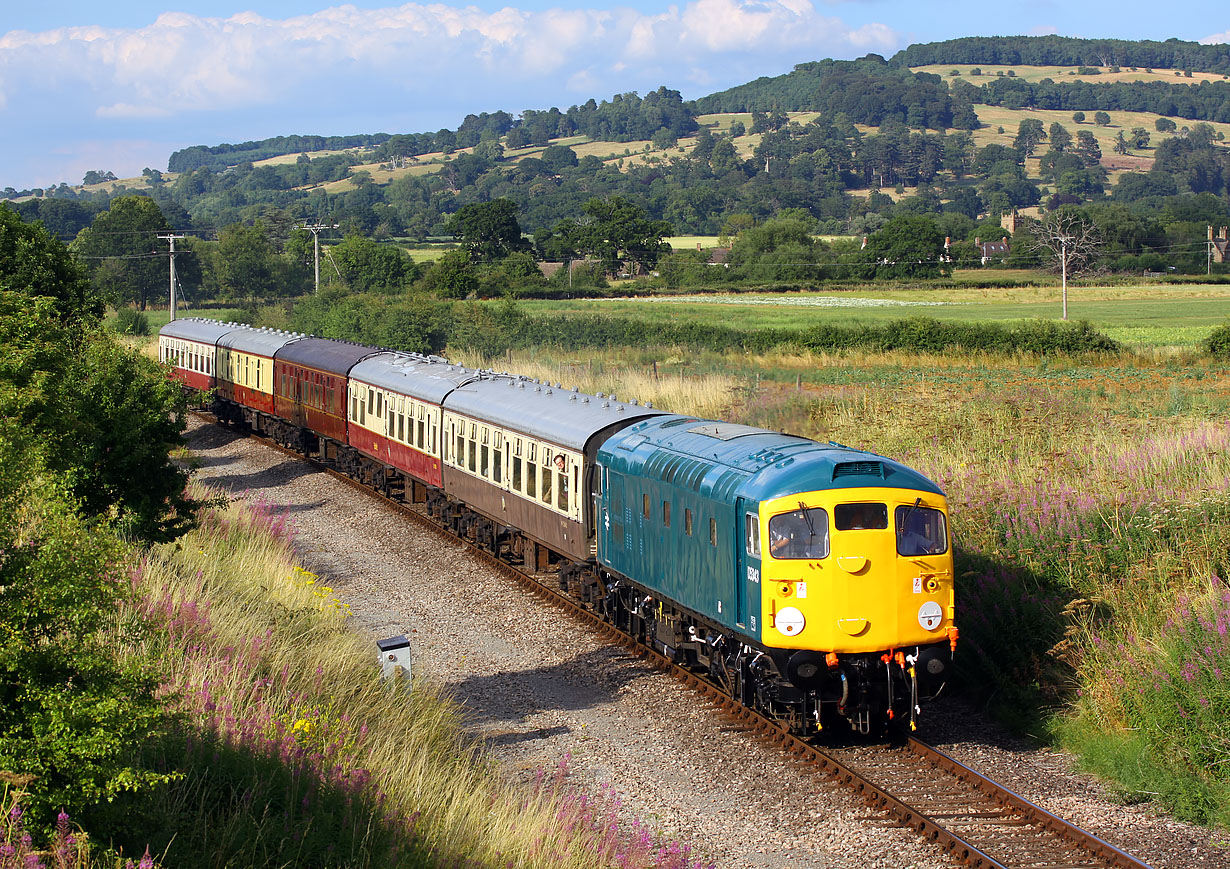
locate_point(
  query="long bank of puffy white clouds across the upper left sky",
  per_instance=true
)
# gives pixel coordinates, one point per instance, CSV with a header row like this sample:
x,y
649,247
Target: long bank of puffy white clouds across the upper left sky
x,y
185,63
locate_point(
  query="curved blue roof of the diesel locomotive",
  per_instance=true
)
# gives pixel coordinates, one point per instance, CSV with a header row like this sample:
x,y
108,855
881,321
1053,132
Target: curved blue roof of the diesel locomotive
x,y
730,460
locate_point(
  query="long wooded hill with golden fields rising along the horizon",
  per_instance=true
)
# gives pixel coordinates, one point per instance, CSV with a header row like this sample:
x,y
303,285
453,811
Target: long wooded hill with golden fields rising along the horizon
x,y
848,143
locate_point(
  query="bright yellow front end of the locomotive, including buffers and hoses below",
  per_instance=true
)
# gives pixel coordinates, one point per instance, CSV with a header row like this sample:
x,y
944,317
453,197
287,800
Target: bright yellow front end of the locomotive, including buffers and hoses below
x,y
858,598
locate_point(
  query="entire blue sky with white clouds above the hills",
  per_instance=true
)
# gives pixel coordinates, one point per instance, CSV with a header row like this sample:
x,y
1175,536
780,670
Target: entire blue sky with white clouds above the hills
x,y
121,85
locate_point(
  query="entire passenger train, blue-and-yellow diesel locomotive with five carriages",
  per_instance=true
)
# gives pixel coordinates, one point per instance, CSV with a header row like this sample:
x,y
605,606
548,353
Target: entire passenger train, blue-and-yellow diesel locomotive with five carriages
x,y
811,582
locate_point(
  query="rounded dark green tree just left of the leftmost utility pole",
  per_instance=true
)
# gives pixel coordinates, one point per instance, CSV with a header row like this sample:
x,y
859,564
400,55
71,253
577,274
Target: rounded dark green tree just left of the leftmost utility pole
x,y
127,261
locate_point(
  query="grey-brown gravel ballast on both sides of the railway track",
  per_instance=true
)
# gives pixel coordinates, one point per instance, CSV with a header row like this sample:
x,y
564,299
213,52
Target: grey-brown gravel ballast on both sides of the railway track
x,y
541,689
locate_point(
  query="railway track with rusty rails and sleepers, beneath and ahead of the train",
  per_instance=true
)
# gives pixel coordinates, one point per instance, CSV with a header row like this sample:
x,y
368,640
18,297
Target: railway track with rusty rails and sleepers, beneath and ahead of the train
x,y
976,820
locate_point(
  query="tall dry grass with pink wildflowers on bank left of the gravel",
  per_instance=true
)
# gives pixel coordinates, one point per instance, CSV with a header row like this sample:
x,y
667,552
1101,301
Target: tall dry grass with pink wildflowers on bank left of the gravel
x,y
288,749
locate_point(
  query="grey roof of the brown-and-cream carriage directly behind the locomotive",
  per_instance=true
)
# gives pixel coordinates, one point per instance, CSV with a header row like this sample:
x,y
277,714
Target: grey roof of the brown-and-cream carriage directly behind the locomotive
x,y
565,417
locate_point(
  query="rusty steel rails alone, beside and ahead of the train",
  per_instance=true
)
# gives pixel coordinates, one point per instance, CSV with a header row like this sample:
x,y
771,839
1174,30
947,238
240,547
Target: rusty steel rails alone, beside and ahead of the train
x,y
876,797
